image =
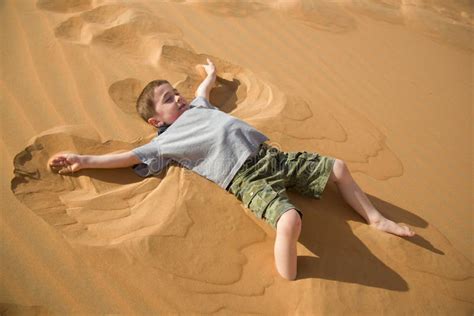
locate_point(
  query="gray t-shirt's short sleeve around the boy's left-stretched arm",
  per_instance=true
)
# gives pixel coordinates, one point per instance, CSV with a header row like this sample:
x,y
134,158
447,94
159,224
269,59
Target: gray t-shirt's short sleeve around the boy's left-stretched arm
x,y
152,161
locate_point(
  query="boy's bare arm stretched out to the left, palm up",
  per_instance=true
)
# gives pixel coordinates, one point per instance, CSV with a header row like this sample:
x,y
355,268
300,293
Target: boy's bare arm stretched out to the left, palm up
x,y
69,162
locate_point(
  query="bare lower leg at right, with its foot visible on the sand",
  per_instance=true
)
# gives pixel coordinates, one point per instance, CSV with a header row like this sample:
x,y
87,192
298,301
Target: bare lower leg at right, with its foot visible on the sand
x,y
356,198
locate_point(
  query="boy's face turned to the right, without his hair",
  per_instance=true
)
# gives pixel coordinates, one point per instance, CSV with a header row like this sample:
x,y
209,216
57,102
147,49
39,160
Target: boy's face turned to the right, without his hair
x,y
169,105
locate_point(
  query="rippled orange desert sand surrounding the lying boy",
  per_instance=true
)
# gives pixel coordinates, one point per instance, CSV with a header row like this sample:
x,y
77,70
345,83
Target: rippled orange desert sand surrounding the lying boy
x,y
385,86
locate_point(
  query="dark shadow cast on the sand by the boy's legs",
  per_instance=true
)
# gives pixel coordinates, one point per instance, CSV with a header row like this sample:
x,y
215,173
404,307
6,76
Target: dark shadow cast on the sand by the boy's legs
x,y
342,256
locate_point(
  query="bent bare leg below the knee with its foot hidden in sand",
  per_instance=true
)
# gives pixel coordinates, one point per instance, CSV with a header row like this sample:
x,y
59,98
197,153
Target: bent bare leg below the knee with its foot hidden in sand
x,y
288,231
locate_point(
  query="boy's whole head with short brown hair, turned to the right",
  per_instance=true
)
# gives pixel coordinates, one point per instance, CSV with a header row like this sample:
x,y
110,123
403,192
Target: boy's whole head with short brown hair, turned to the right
x,y
160,104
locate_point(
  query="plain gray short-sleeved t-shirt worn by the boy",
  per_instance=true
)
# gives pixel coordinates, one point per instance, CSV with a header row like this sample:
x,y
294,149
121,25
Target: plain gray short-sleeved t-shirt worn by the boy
x,y
203,139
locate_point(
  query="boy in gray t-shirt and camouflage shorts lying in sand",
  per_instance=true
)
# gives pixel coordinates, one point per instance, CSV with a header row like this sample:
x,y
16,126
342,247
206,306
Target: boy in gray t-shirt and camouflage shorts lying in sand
x,y
238,158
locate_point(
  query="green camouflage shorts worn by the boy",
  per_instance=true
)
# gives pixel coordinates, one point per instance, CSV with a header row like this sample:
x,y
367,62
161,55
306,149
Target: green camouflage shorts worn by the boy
x,y
262,180
